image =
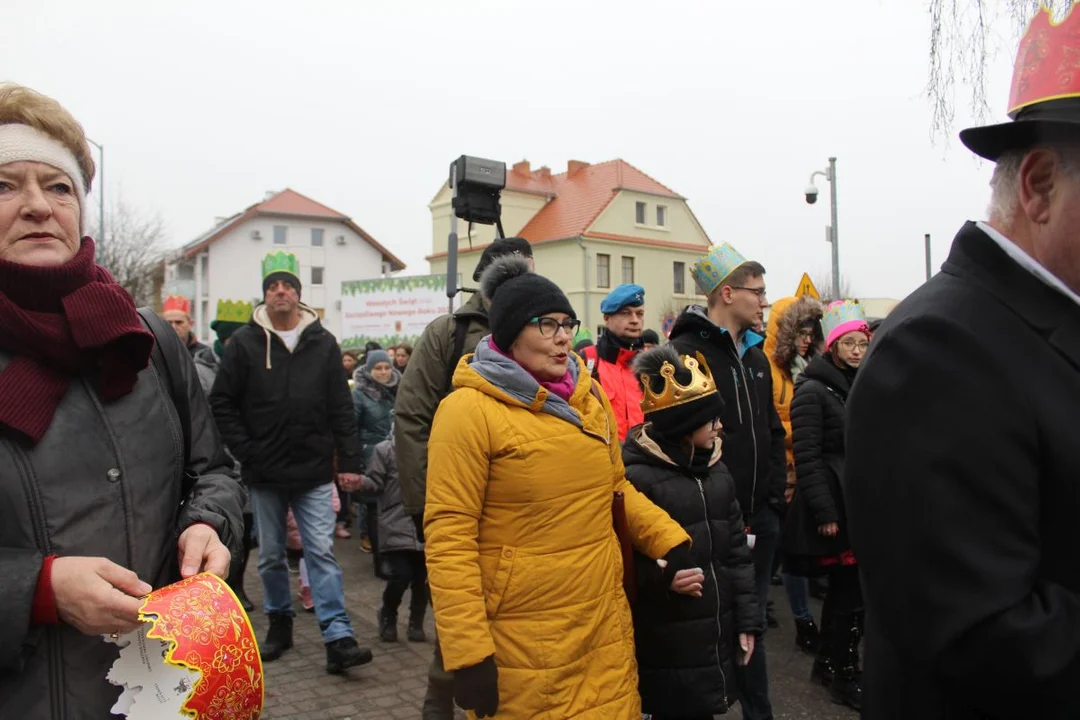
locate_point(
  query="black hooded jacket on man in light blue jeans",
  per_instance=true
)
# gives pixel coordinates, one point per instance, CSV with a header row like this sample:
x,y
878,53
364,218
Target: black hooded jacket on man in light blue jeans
x,y
283,414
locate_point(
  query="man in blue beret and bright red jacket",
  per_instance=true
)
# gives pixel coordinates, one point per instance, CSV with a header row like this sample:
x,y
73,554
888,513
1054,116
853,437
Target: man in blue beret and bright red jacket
x,y
610,360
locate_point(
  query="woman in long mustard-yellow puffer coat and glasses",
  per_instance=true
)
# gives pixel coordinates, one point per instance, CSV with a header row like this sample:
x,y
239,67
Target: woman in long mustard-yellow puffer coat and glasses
x,y
524,566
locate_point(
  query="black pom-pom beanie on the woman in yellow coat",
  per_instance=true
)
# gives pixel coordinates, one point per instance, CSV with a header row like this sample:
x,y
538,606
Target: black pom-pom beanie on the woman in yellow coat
x,y
518,296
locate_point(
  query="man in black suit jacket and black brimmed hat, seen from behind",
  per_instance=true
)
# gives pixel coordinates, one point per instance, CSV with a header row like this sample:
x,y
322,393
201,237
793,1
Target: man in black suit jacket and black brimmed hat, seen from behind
x,y
963,479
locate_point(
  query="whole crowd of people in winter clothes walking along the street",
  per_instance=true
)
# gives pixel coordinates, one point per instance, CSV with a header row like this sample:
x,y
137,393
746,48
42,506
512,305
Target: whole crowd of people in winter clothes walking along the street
x,y
597,526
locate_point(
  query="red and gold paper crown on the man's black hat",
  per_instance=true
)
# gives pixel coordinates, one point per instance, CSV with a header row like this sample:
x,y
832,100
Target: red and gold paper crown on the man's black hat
x,y
1048,63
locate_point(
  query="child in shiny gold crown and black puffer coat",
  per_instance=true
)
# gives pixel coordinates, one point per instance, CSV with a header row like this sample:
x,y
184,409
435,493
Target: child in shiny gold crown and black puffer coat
x,y
688,646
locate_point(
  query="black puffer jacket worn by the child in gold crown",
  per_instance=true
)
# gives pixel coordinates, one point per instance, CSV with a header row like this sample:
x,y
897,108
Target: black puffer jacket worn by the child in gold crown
x,y
686,646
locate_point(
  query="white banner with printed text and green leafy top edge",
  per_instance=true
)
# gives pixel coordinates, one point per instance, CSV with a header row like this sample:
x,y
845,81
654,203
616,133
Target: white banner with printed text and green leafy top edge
x,y
390,311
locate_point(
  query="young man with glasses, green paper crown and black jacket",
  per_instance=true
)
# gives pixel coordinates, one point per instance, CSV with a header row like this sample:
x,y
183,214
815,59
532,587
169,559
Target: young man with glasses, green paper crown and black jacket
x,y
753,436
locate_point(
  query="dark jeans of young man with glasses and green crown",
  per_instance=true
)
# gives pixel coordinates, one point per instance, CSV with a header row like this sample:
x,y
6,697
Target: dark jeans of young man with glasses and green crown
x,y
753,680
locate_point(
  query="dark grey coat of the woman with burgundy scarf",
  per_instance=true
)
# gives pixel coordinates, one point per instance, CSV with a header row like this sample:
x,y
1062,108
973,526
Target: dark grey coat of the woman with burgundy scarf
x,y
104,482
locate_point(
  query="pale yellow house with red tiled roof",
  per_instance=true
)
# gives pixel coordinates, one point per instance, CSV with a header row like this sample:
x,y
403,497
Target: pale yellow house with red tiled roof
x,y
592,228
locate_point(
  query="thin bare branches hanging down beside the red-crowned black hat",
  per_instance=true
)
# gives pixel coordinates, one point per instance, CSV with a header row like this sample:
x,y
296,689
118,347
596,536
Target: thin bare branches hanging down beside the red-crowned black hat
x,y
966,36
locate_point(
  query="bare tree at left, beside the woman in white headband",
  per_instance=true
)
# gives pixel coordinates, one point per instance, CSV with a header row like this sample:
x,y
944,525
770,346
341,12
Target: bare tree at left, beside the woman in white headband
x,y
133,250
